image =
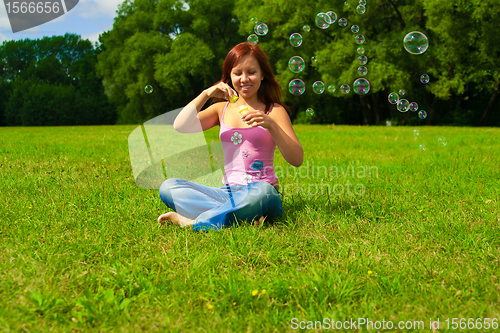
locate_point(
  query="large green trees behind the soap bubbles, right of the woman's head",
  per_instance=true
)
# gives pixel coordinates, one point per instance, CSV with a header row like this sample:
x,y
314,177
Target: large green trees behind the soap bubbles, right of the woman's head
x,y
454,60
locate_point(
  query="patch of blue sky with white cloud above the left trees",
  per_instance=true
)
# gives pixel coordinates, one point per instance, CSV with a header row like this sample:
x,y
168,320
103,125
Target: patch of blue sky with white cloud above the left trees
x,y
88,19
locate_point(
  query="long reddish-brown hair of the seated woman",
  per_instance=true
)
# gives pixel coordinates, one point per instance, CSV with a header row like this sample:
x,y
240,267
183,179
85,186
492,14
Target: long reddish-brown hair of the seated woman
x,y
269,90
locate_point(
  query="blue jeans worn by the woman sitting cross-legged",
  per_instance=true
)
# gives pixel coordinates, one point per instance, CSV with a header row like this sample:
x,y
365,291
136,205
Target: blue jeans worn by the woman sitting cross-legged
x,y
216,208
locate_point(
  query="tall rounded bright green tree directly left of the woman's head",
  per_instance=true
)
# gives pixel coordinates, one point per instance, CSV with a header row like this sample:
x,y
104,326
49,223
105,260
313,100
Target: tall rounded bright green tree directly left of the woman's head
x,y
176,47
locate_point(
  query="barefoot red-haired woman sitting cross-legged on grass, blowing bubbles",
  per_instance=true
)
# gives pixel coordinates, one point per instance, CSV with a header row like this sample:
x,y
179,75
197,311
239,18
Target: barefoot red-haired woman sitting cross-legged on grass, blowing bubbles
x,y
251,188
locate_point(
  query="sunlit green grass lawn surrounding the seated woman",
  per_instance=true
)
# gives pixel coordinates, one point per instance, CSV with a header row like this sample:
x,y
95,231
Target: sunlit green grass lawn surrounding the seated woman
x,y
80,248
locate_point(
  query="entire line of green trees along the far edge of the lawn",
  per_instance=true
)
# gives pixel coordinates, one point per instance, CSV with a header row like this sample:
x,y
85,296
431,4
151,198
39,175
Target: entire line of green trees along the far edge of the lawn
x,y
178,48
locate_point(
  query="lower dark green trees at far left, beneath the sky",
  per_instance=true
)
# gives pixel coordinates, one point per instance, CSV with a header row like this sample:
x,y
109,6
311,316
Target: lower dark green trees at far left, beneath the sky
x,y
52,81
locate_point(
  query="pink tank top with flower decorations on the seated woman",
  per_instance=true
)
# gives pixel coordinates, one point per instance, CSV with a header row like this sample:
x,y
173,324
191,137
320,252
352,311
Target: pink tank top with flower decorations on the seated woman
x,y
248,154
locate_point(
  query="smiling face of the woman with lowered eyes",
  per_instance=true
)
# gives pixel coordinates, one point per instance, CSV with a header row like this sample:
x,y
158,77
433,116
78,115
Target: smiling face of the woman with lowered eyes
x,y
246,76
